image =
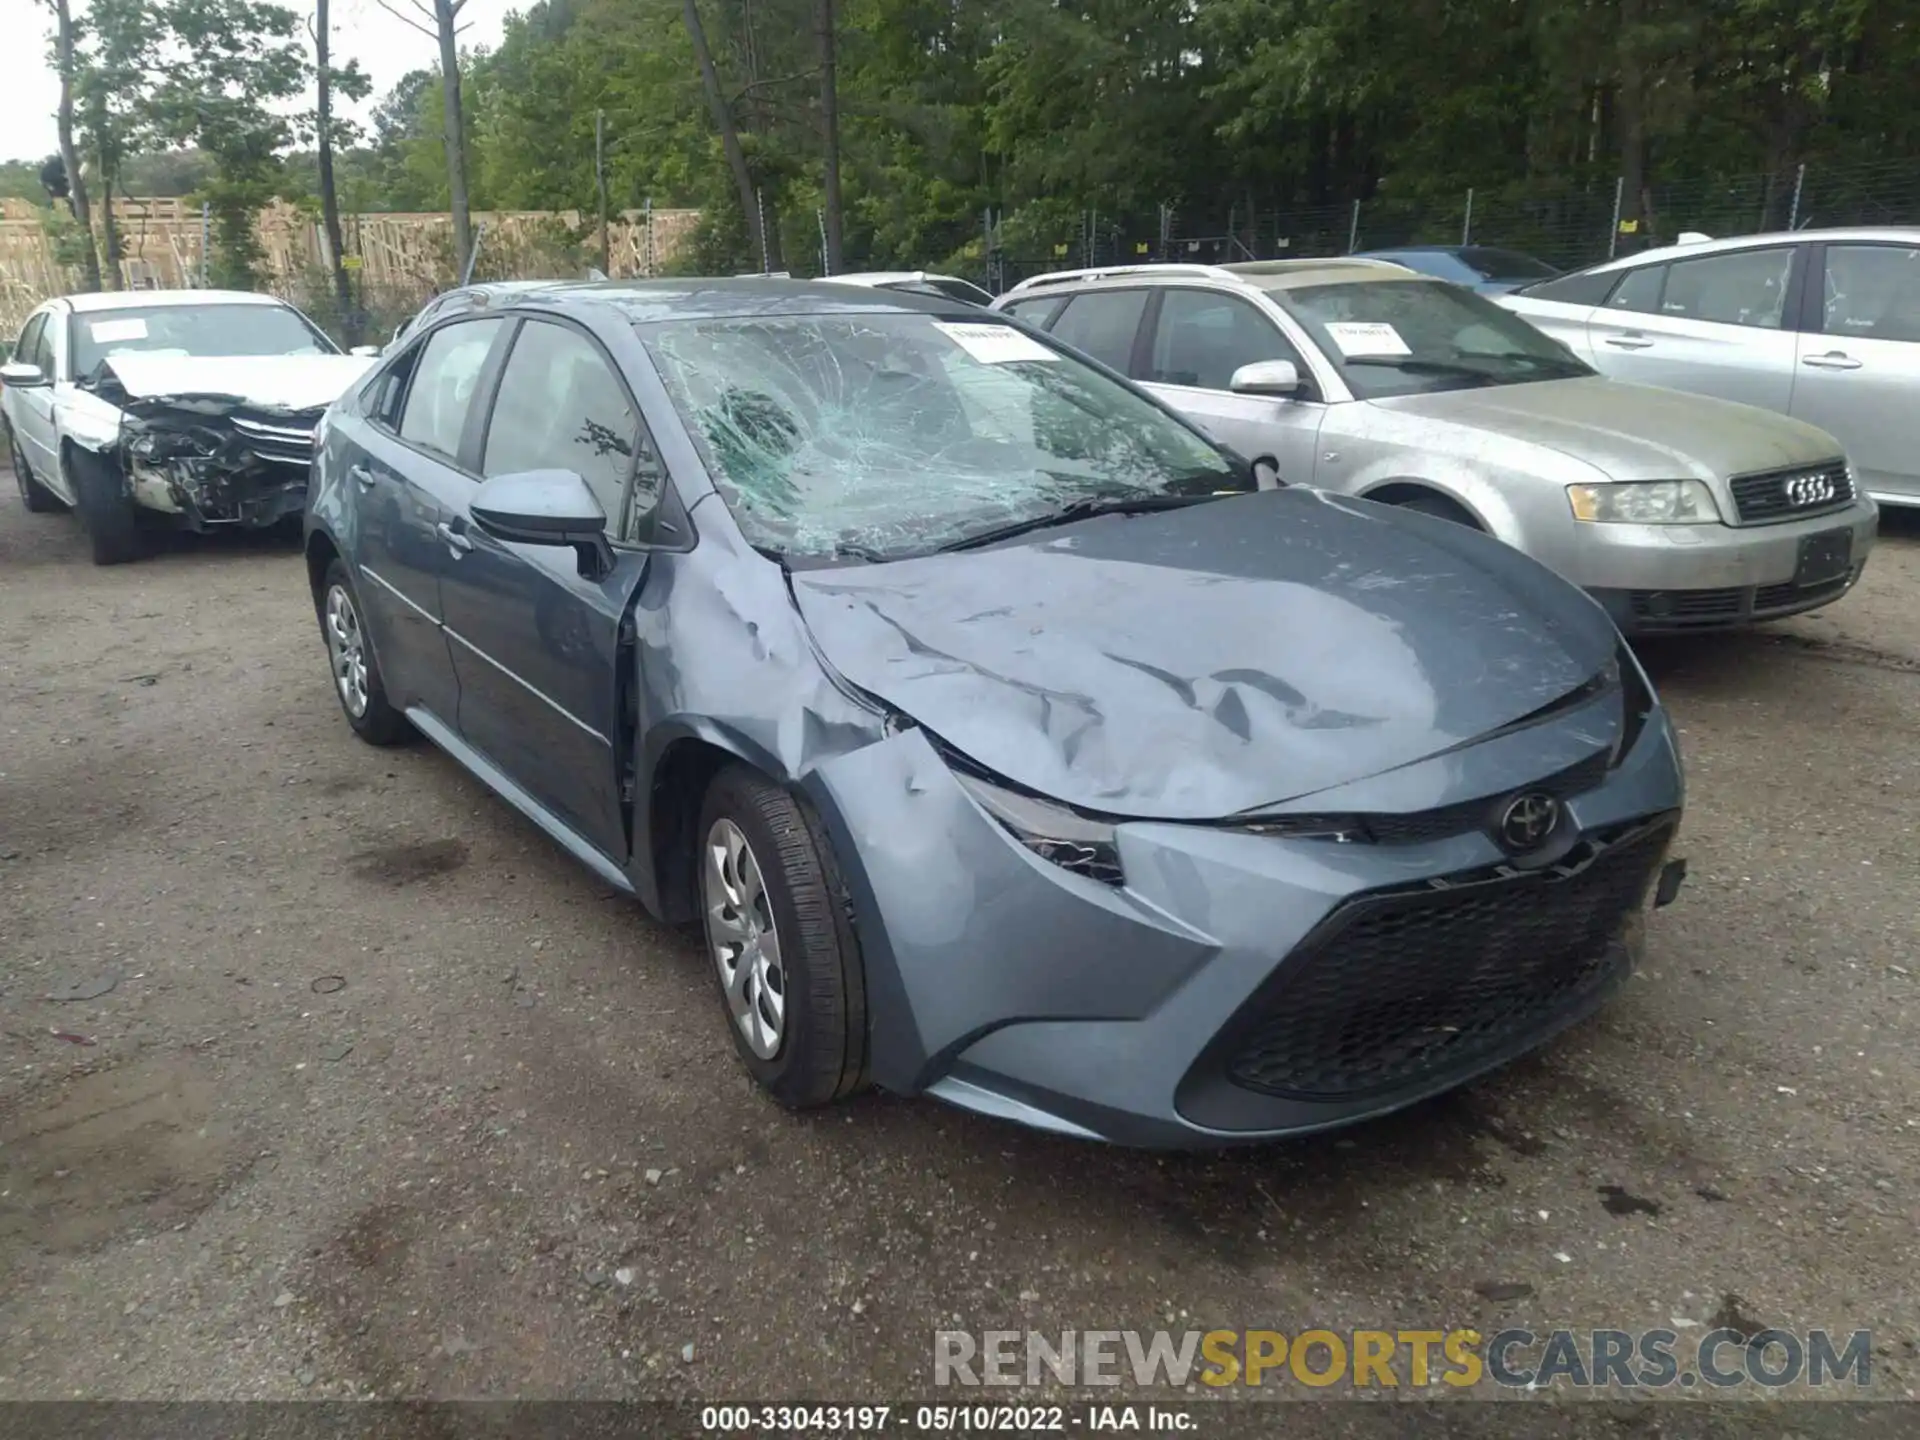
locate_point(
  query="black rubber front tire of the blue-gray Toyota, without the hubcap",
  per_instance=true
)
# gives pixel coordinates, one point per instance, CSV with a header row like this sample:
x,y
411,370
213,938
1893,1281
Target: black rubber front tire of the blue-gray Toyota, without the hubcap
x,y
823,1044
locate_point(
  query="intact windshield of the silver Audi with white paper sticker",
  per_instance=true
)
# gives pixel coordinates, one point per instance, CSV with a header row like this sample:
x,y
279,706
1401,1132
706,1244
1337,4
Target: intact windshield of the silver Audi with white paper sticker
x,y
1416,337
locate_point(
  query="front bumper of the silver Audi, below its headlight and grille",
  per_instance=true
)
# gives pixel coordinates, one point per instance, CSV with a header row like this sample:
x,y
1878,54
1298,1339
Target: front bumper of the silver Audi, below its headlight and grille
x,y
1702,577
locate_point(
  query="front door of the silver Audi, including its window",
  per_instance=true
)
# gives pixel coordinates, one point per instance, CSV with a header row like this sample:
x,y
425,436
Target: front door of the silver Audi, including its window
x,y
1199,341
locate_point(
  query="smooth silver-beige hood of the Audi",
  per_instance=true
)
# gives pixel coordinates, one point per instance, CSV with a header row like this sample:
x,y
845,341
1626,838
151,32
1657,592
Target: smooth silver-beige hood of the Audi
x,y
1629,431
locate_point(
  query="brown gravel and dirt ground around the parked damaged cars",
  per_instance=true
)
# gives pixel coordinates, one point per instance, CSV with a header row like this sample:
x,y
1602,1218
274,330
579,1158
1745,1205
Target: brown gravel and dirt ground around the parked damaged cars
x,y
373,1092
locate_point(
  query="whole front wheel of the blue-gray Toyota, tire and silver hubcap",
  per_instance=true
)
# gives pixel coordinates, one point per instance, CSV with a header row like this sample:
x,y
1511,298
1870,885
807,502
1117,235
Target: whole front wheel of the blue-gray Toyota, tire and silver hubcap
x,y
782,942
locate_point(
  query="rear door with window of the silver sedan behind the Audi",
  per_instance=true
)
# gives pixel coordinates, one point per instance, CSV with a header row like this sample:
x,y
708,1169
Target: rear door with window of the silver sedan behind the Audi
x,y
1716,325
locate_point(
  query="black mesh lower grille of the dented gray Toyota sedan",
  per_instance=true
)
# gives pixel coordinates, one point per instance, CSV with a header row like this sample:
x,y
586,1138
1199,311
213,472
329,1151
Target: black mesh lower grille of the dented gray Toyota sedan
x,y
1399,988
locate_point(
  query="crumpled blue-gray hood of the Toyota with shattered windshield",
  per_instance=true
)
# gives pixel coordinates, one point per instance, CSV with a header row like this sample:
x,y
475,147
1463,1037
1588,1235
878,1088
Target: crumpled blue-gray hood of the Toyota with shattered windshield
x,y
1216,660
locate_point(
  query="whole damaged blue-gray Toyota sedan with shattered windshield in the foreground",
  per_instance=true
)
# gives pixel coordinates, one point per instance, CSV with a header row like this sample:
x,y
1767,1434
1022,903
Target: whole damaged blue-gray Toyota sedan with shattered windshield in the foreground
x,y
1001,738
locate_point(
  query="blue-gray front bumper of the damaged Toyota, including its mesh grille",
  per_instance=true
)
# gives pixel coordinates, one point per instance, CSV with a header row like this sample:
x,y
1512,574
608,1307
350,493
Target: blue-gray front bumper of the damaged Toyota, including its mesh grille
x,y
1239,986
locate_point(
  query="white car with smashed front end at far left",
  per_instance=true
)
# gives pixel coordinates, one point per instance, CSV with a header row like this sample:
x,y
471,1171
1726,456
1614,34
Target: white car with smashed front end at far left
x,y
168,408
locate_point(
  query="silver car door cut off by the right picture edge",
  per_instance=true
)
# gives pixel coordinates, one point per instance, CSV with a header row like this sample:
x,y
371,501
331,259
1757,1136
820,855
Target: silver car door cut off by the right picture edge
x,y
1860,362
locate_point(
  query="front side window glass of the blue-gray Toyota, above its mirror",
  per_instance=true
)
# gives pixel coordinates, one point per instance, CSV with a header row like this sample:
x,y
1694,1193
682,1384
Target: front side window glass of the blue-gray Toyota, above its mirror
x,y
562,408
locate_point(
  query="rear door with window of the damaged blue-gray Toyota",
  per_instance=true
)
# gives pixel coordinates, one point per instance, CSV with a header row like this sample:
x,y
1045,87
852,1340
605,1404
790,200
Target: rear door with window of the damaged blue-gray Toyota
x,y
412,466
